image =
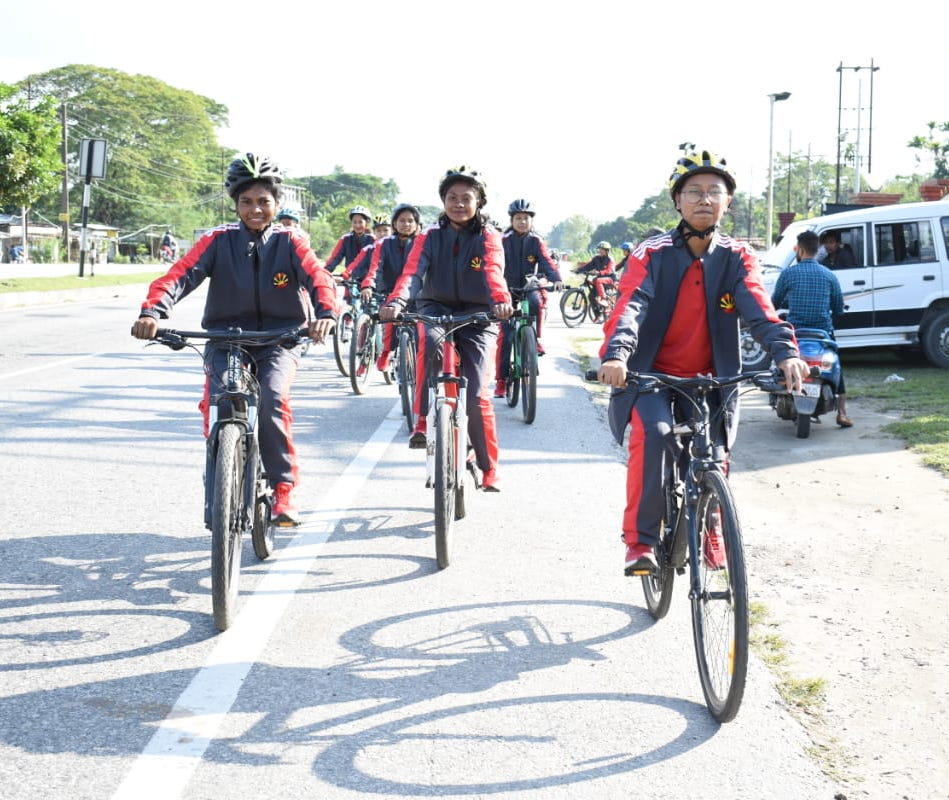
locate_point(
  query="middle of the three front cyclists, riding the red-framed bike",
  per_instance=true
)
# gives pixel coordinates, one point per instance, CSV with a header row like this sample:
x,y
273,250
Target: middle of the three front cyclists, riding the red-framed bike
x,y
457,267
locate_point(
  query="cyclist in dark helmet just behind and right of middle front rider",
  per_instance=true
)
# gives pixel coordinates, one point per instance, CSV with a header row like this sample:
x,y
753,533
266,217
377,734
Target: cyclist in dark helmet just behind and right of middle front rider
x,y
525,253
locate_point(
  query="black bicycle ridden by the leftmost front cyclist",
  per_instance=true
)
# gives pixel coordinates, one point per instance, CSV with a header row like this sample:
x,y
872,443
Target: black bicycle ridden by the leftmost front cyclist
x,y
236,493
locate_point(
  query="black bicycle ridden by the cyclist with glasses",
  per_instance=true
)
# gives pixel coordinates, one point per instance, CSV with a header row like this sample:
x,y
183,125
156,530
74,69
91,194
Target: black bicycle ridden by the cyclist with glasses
x,y
698,501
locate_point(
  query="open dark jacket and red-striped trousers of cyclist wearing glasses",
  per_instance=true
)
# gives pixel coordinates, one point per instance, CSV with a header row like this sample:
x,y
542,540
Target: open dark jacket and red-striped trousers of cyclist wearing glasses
x,y
661,280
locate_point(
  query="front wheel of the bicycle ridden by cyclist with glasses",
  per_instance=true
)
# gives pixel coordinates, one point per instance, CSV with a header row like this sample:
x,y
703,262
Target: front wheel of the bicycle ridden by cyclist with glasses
x,y
720,611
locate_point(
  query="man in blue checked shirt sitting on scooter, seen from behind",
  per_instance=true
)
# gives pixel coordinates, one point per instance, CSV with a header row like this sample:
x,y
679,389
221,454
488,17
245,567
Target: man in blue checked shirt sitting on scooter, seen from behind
x,y
811,294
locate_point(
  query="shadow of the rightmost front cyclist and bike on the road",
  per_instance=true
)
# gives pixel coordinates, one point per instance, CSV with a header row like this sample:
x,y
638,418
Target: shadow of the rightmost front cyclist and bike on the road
x,y
394,666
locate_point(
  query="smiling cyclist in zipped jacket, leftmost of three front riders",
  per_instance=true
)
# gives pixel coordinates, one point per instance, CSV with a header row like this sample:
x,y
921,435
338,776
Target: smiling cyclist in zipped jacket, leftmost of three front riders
x,y
259,276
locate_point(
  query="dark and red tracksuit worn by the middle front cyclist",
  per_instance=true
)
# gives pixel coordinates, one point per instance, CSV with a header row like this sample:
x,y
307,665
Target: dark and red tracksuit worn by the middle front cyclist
x,y
458,272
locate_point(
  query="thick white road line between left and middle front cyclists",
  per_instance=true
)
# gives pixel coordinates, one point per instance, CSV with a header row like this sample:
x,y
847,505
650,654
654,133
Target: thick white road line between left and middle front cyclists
x,y
177,747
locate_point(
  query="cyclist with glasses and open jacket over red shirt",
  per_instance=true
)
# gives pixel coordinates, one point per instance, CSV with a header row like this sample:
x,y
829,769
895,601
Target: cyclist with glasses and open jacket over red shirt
x,y
680,301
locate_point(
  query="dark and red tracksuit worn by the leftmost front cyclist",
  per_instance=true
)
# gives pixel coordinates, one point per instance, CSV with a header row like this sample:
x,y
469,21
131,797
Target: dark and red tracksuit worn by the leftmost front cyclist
x,y
258,281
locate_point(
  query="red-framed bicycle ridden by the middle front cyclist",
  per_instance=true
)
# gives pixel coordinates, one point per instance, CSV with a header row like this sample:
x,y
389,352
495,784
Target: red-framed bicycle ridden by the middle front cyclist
x,y
446,445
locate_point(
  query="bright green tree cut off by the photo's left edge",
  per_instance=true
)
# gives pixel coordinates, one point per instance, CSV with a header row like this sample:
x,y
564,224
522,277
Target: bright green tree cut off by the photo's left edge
x,y
29,137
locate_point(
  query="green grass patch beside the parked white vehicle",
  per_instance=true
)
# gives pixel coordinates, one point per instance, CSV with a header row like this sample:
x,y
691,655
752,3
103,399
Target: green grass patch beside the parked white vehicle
x,y
922,399
